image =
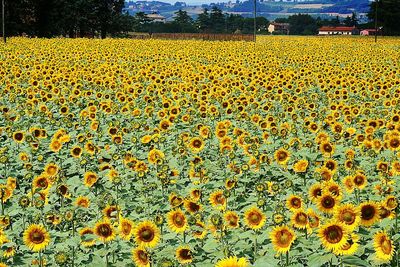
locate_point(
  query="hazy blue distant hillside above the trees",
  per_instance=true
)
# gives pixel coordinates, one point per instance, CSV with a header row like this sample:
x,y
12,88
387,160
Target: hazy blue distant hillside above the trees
x,y
270,9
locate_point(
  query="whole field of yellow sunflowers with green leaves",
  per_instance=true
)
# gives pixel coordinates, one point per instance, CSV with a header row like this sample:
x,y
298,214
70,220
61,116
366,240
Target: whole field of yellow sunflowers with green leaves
x,y
190,153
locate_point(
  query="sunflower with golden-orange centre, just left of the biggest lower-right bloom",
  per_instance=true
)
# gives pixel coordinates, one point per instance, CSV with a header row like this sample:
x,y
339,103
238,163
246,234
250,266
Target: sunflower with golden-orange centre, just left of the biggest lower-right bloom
x,y
282,238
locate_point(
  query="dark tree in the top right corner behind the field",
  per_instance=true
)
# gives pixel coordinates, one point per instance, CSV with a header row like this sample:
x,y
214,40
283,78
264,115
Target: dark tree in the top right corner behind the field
x,y
388,15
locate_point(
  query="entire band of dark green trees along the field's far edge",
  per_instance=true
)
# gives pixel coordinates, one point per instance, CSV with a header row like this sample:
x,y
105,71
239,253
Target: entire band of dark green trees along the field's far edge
x,y
89,18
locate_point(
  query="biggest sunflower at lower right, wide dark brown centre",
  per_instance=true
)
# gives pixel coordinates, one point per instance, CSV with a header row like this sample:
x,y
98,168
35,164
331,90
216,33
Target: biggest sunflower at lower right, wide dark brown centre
x,y
333,235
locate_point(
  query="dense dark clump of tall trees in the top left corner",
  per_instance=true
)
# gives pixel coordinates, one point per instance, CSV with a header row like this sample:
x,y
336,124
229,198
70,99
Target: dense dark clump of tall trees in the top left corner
x,y
75,18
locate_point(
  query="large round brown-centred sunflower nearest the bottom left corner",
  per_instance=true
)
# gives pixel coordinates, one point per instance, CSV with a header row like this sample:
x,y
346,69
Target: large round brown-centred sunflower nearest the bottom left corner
x,y
36,237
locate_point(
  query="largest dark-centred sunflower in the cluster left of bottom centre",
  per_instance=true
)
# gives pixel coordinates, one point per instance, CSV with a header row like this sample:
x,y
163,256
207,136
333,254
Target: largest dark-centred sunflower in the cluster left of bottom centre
x,y
146,234
